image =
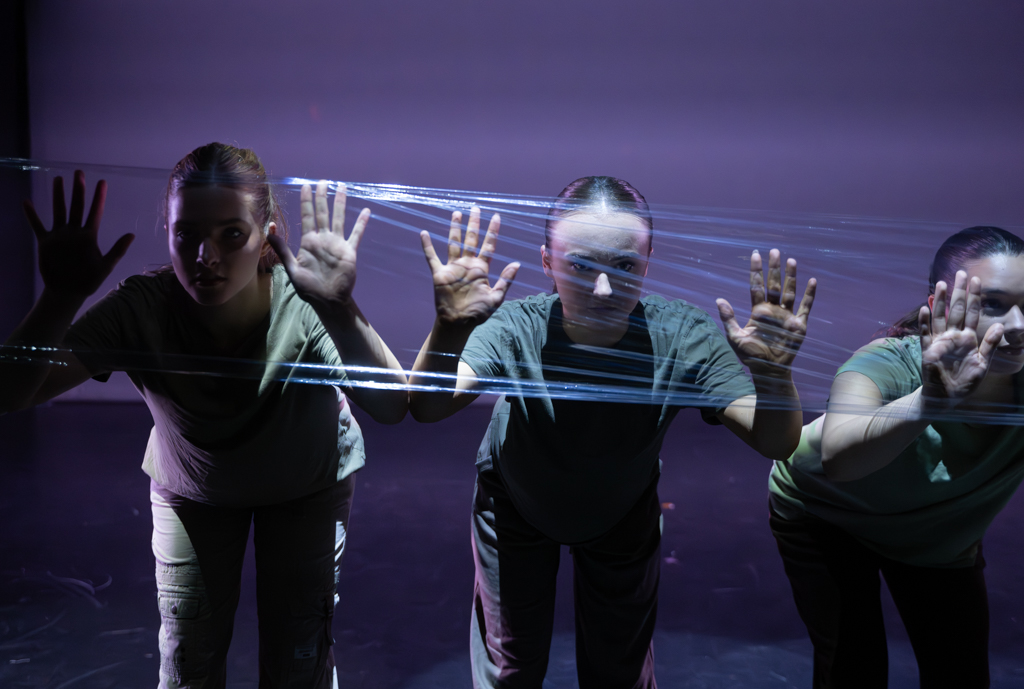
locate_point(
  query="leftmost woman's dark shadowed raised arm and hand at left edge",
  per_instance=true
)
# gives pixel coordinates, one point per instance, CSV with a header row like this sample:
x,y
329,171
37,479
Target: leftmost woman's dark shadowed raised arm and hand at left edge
x,y
73,269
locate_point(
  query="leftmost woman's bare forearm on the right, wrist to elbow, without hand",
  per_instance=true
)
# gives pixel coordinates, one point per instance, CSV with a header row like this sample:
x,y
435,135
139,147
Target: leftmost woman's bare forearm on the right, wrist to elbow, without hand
x,y
360,347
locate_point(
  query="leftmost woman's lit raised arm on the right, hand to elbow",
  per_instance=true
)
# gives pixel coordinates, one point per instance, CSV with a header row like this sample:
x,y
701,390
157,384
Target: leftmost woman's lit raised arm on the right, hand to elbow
x,y
324,275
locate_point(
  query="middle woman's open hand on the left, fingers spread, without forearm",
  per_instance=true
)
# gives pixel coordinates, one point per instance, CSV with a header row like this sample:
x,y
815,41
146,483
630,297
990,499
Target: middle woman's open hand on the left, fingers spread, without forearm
x,y
462,292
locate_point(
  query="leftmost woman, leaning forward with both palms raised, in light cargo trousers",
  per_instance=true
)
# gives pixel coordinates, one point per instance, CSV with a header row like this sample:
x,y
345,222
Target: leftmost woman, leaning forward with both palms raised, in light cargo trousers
x,y
255,445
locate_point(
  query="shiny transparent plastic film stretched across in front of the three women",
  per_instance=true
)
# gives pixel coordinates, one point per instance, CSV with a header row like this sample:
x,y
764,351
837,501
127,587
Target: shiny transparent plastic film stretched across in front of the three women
x,y
871,275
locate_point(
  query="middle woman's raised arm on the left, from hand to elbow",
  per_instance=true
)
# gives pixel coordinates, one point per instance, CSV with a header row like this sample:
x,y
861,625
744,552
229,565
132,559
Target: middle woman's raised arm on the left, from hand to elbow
x,y
463,299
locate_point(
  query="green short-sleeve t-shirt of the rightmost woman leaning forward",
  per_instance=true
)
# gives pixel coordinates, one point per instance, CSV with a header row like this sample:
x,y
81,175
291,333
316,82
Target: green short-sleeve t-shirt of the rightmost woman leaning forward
x,y
931,505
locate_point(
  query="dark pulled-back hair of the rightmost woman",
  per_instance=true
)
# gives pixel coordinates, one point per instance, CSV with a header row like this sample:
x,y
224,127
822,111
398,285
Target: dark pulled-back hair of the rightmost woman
x,y
968,245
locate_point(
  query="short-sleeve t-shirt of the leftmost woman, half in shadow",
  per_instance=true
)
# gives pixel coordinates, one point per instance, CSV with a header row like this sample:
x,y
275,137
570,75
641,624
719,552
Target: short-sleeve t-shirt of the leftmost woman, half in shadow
x,y
254,434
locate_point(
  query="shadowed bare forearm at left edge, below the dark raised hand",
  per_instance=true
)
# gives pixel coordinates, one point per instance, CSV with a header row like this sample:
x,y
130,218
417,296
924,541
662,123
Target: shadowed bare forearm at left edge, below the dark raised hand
x,y
23,370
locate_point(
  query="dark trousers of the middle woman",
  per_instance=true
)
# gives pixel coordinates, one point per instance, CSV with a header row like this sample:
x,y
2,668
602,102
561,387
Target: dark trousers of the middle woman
x,y
615,588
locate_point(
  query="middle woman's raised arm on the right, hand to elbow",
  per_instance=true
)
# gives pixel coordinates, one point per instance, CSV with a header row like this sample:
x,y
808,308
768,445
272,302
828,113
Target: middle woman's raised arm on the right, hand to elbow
x,y
770,421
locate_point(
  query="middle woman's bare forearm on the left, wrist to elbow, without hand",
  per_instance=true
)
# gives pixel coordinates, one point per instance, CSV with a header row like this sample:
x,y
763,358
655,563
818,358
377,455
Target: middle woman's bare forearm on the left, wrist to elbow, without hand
x,y
436,373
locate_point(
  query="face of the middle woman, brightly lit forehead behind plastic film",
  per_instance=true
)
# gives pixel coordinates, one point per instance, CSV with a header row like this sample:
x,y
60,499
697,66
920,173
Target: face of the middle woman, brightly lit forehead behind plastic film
x,y
599,262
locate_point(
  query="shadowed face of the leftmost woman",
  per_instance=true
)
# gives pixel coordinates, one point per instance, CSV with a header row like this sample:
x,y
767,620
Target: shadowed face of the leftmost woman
x,y
215,242
